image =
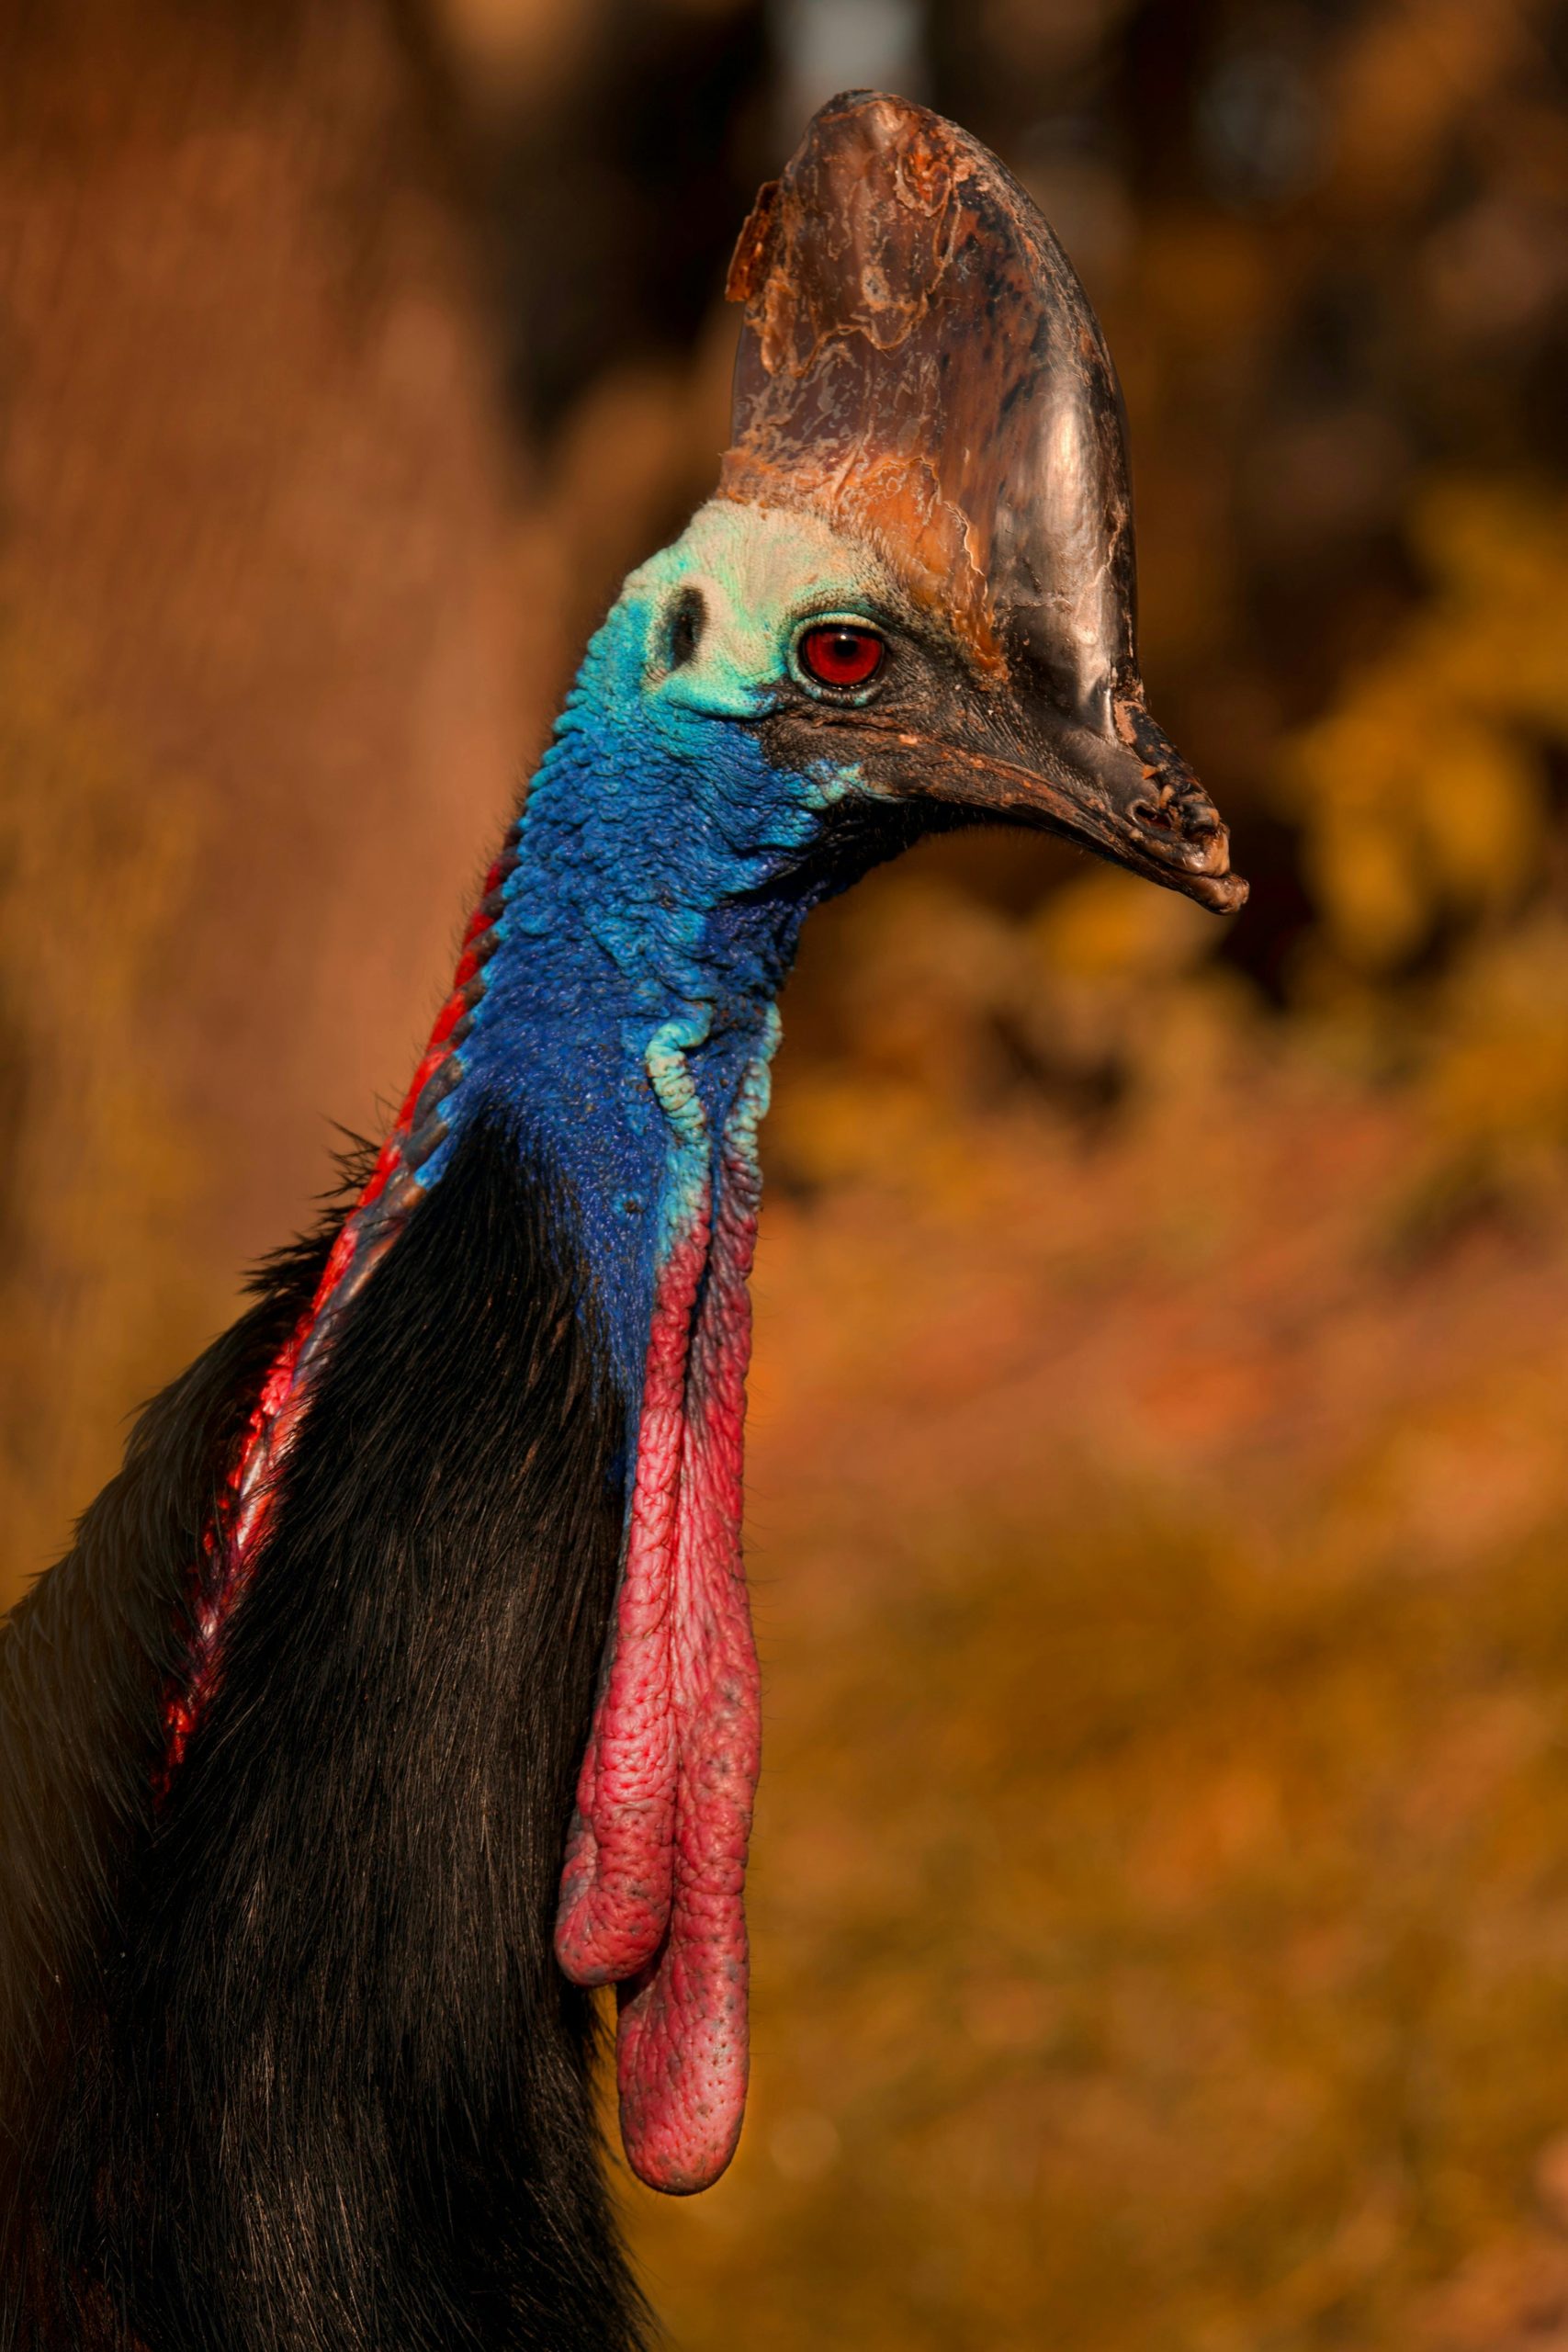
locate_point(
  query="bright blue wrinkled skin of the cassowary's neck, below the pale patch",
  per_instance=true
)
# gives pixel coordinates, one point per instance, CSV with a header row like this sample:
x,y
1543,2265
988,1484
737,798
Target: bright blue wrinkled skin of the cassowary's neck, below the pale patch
x,y
629,1005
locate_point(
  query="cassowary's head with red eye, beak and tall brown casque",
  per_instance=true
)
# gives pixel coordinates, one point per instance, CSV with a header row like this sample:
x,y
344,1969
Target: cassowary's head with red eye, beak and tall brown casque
x,y
916,587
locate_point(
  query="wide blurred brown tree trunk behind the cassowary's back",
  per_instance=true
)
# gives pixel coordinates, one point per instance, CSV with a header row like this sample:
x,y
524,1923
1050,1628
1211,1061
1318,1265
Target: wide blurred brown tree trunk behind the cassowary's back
x,y
257,690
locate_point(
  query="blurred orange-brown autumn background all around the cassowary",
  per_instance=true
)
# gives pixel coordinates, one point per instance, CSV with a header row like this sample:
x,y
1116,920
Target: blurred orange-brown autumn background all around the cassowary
x,y
1160,1445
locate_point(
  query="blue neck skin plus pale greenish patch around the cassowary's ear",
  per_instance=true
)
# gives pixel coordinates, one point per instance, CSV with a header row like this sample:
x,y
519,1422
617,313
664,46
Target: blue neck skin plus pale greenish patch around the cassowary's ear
x,y
664,874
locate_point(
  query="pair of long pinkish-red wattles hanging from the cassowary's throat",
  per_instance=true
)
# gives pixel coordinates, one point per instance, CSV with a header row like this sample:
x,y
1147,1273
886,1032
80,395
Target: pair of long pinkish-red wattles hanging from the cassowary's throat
x,y
652,1892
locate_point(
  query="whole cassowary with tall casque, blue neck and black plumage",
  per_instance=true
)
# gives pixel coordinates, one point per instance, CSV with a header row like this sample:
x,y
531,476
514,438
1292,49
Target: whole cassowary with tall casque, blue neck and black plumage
x,y
401,1690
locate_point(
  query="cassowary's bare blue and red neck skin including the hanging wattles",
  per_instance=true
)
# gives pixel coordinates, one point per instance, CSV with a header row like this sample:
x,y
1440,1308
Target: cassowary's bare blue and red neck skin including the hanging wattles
x,y
615,1008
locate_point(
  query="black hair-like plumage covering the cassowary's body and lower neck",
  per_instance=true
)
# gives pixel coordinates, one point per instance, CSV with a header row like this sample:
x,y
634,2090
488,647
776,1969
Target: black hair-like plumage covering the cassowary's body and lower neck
x,y
290,2066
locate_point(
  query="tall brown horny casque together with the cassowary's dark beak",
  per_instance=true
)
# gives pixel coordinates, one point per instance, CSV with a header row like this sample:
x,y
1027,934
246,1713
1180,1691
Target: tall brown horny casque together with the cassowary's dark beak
x,y
920,366
